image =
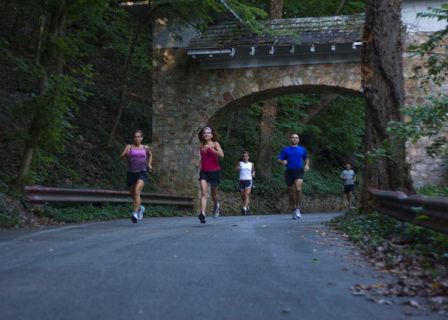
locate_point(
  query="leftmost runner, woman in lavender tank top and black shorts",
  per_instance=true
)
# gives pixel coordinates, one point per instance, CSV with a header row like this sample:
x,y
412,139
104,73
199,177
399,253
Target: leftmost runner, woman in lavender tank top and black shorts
x,y
139,159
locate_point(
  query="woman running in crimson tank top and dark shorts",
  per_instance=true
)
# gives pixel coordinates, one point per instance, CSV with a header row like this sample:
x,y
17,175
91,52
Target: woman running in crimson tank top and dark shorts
x,y
210,170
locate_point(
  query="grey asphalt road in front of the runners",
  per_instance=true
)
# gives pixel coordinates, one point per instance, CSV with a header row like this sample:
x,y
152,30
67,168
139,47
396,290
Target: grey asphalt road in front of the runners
x,y
253,267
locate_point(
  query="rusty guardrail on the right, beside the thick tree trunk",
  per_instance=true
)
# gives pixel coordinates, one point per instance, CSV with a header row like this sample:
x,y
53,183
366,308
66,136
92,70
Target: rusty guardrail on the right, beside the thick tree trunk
x,y
429,212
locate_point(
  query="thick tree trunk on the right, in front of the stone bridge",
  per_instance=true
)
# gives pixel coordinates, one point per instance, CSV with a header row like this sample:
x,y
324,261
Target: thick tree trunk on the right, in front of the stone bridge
x,y
383,84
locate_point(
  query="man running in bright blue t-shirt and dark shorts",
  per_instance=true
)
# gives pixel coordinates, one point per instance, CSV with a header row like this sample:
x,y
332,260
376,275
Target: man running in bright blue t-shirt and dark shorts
x,y
295,159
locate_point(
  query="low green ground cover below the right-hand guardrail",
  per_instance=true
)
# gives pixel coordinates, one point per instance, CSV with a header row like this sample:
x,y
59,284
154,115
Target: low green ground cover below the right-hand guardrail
x,y
375,229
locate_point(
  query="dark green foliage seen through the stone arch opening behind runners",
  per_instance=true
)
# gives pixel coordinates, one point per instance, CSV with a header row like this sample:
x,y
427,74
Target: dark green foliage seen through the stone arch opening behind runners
x,y
343,119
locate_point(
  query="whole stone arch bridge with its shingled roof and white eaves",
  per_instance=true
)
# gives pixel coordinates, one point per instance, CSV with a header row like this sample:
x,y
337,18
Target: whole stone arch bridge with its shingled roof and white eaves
x,y
228,68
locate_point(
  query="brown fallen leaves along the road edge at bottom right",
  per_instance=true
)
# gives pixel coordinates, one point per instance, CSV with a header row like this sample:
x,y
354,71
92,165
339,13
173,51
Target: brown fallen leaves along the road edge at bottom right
x,y
422,279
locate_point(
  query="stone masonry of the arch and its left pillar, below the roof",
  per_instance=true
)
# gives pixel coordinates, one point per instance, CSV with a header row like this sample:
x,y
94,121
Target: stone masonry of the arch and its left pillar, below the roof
x,y
185,98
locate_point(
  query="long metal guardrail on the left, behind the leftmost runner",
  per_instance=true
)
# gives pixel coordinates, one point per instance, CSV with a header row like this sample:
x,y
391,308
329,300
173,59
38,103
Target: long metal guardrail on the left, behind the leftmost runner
x,y
41,195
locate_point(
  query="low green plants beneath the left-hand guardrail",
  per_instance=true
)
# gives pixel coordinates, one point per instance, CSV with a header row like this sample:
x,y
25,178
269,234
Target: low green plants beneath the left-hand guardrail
x,y
84,213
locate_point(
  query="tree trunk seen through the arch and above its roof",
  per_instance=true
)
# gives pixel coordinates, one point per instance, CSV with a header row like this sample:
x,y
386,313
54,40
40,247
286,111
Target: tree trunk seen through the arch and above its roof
x,y
267,127
